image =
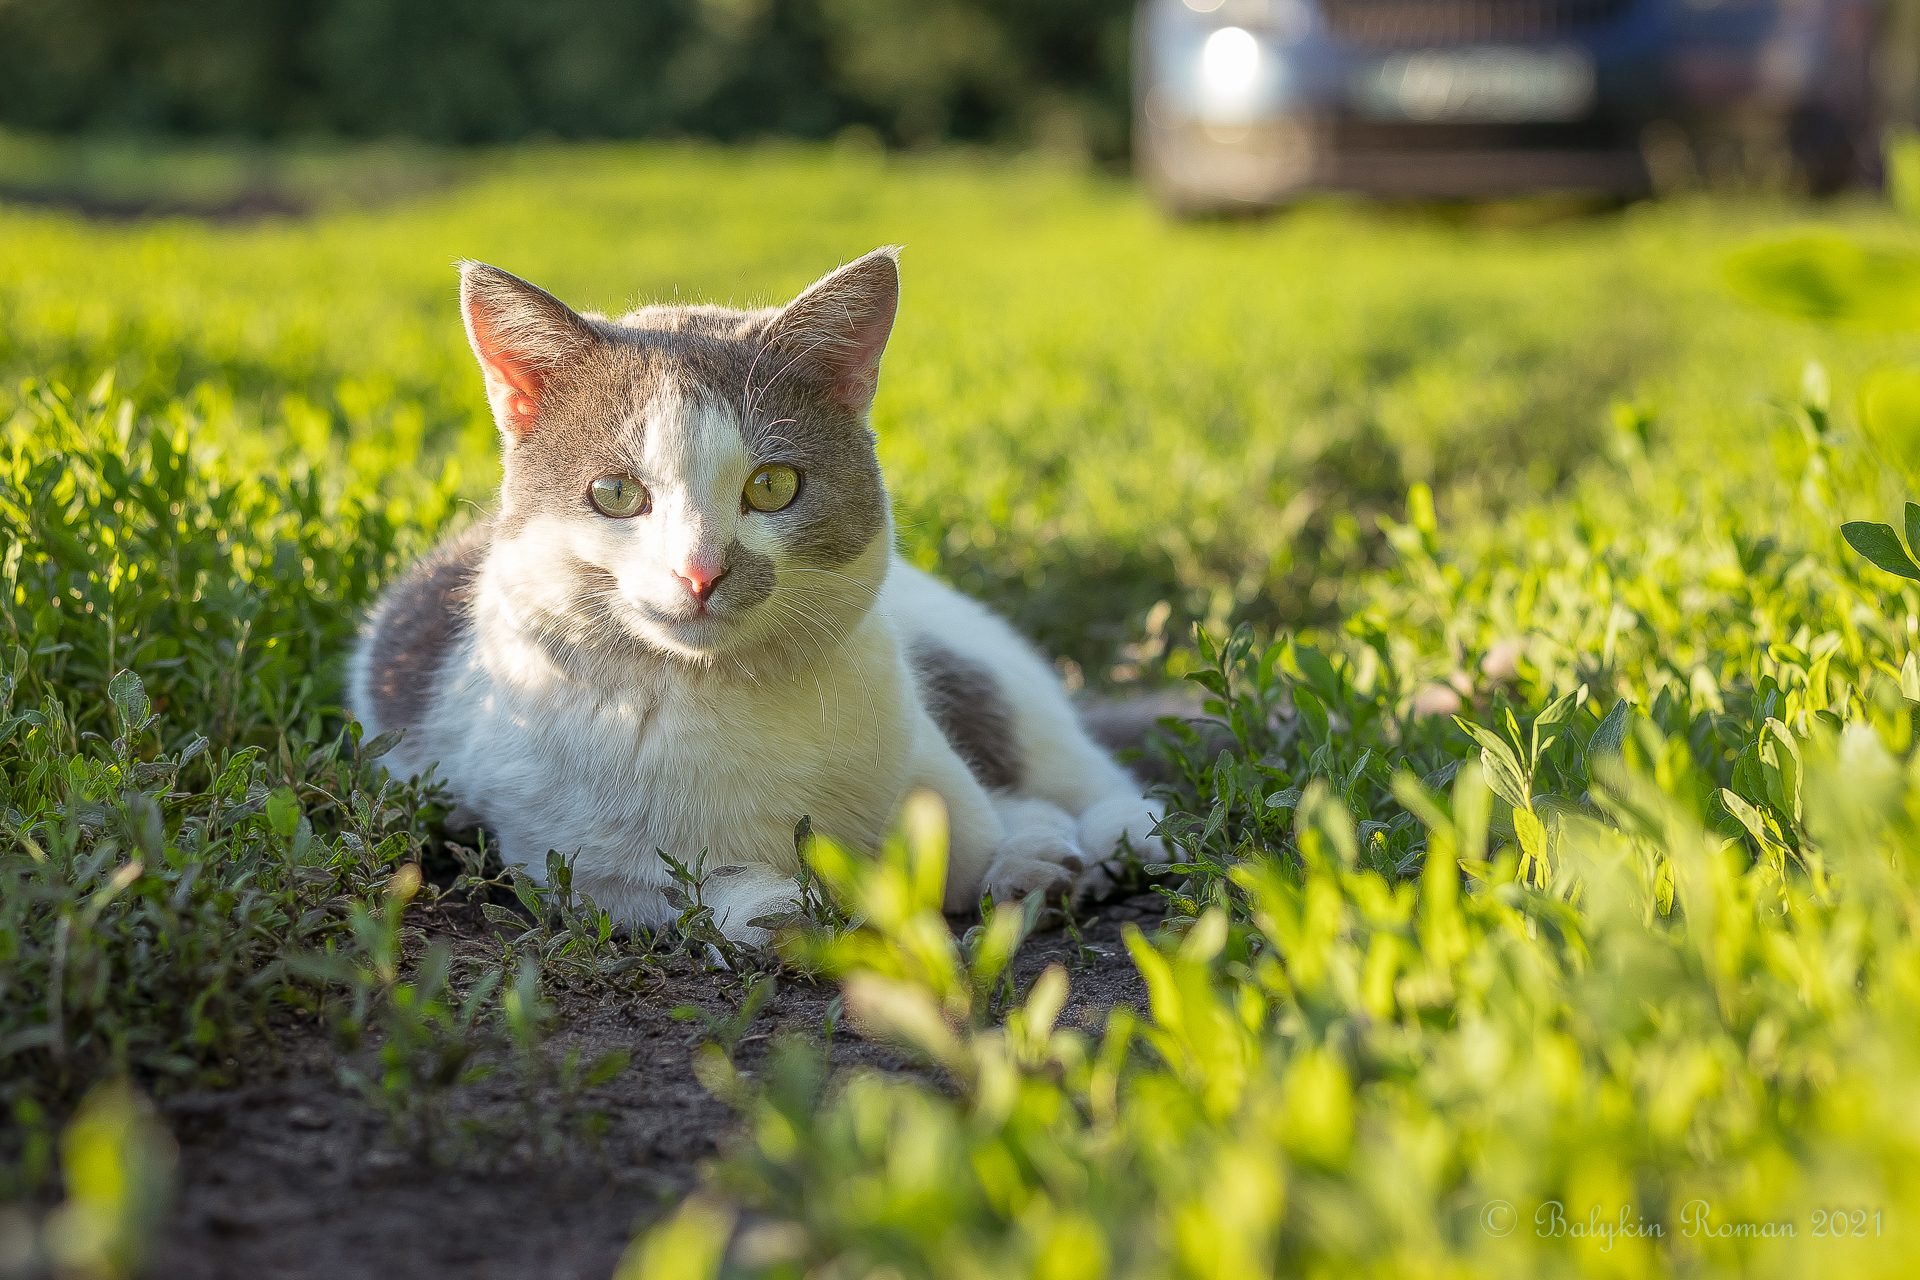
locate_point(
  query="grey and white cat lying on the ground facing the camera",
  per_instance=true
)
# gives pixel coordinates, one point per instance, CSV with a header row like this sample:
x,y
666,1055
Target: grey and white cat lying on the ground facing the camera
x,y
684,627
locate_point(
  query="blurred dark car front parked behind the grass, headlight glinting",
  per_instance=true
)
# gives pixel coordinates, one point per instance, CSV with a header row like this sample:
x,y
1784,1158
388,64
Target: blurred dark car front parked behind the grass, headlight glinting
x,y
1249,103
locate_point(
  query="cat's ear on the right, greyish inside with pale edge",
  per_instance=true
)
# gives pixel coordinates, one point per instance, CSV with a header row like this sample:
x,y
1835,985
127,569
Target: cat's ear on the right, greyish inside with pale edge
x,y
842,323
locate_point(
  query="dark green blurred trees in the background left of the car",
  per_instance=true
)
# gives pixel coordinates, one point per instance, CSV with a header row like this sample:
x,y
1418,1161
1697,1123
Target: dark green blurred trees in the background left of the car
x,y
1049,72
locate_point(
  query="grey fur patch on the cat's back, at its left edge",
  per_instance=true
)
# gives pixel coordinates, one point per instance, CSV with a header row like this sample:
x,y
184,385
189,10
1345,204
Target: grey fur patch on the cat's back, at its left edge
x,y
420,623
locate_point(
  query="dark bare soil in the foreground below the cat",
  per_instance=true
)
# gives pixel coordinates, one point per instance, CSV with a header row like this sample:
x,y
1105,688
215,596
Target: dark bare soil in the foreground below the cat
x,y
295,1175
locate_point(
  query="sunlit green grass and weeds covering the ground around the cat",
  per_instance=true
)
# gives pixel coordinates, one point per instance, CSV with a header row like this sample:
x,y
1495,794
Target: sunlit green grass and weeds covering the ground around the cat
x,y
1631,936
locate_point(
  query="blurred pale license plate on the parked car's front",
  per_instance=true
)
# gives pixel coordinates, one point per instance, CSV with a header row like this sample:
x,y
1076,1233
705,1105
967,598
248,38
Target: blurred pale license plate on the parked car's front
x,y
1479,85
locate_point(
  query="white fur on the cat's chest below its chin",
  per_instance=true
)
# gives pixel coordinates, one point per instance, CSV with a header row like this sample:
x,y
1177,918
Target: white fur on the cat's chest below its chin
x,y
652,753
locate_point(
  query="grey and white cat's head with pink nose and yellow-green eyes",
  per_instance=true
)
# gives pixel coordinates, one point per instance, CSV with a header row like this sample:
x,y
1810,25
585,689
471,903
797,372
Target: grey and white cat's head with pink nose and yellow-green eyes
x,y
694,481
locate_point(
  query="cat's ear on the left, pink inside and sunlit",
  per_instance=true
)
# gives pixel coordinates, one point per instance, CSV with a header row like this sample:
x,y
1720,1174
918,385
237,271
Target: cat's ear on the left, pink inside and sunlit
x,y
521,335
